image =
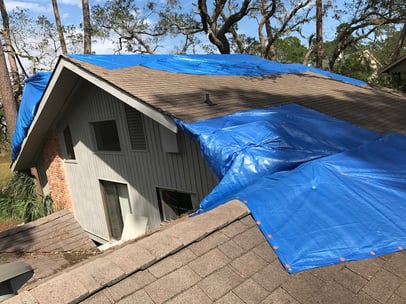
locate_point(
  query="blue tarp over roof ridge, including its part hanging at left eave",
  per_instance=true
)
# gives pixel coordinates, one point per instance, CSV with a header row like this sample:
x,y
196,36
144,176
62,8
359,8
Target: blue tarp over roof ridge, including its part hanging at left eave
x,y
215,64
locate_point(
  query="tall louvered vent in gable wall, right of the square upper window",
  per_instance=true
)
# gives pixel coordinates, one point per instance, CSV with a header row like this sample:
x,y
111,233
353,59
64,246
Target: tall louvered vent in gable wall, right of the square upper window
x,y
135,128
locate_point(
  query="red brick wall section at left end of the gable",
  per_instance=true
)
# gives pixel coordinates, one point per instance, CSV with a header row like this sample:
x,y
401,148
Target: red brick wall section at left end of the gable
x,y
55,172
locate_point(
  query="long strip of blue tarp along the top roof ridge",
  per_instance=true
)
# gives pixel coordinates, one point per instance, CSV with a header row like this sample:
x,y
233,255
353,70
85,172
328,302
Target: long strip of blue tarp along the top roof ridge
x,y
213,64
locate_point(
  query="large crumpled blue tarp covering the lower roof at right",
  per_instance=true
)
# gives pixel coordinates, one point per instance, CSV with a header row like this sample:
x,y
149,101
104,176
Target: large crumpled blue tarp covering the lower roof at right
x,y
321,190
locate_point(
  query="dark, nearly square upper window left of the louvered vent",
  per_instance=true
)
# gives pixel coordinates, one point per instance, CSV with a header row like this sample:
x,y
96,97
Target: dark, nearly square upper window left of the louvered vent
x,y
106,135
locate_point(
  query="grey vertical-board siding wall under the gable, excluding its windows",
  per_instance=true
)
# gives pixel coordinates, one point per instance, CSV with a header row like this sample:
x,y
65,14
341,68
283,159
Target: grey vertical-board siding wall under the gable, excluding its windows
x,y
141,171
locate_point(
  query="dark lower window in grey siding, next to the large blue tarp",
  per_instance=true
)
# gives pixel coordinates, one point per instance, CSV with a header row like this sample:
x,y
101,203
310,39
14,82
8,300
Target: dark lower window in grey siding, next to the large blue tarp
x,y
173,204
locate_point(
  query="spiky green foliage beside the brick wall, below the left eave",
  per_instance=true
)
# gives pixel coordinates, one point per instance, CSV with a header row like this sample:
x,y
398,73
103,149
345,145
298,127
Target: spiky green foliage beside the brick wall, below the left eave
x,y
19,199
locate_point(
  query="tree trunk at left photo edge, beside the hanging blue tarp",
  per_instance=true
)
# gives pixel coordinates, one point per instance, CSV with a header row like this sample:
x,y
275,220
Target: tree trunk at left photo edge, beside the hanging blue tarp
x,y
7,97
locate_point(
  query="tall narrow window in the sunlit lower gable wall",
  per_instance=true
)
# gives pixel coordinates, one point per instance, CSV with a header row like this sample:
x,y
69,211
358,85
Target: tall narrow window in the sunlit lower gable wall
x,y
117,206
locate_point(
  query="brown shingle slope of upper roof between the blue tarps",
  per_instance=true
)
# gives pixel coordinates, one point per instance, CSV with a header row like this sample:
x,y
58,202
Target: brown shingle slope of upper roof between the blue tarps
x,y
183,95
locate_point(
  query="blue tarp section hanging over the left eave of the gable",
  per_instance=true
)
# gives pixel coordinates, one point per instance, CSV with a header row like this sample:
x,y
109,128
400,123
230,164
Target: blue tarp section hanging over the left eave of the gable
x,y
33,90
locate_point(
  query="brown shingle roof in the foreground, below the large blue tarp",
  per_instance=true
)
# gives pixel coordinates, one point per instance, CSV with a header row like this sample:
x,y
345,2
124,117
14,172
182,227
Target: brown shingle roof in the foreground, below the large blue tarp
x,y
217,257
